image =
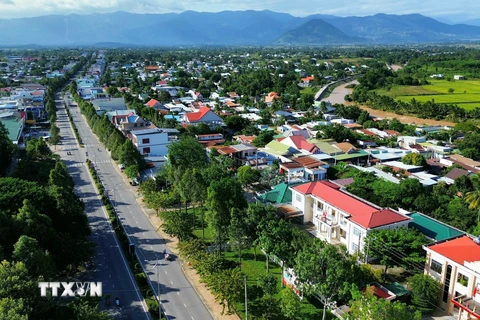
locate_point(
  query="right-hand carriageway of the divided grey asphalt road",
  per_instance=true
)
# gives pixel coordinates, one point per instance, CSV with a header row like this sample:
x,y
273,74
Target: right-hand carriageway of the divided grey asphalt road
x,y
178,298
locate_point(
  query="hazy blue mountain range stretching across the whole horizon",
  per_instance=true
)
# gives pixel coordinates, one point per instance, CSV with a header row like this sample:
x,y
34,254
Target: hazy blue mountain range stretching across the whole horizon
x,y
261,28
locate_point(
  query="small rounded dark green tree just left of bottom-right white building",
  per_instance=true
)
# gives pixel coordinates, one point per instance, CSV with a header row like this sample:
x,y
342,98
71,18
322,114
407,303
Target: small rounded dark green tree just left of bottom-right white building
x,y
425,292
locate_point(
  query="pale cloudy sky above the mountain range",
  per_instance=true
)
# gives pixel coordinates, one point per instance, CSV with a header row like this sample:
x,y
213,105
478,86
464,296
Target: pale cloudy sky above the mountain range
x,y
454,11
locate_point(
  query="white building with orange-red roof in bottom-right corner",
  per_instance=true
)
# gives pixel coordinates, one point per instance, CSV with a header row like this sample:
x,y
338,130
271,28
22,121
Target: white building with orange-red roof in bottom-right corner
x,y
455,263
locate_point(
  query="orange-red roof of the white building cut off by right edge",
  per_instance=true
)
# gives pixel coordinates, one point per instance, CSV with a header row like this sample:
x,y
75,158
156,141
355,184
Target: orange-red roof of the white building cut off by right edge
x,y
459,249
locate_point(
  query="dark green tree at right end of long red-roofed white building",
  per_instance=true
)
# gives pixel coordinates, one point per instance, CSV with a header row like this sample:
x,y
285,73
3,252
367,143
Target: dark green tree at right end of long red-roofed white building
x,y
397,247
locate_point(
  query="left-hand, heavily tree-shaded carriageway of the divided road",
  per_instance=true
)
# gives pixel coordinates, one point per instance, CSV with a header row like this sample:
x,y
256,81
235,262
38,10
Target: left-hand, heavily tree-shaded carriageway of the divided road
x,y
109,264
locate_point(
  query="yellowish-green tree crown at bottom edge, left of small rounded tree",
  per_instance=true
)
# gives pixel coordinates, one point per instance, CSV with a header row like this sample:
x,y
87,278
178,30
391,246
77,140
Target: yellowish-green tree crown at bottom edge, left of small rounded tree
x,y
366,306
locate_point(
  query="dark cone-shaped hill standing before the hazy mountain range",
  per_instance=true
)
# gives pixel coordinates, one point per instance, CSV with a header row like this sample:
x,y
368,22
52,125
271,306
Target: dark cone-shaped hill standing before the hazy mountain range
x,y
315,32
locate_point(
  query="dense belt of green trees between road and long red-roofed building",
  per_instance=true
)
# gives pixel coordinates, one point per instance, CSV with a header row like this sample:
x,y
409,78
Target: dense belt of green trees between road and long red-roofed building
x,y
191,179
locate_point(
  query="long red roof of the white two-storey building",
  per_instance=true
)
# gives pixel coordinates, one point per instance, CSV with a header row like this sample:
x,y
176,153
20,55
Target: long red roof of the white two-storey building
x,y
362,213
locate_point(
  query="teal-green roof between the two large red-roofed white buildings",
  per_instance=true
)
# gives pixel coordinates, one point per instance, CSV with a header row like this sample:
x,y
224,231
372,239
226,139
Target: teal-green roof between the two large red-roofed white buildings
x,y
432,228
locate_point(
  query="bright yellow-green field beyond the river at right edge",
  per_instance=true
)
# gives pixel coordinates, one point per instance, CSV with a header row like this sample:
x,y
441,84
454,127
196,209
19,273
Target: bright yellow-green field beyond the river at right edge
x,y
466,93
